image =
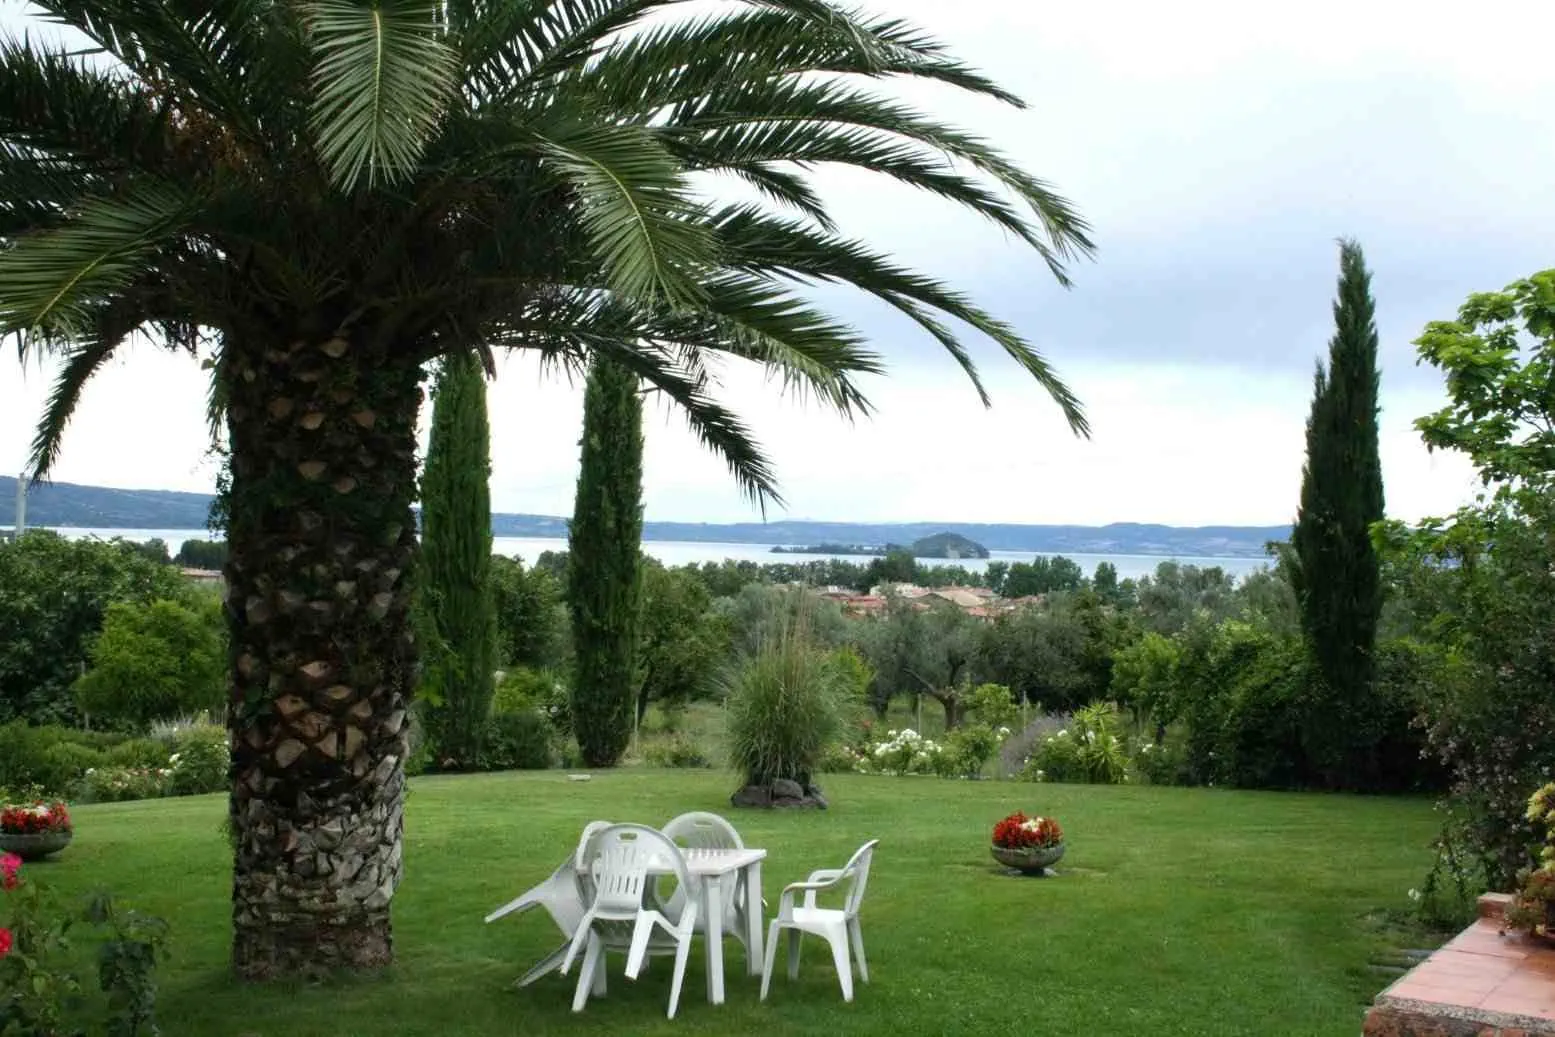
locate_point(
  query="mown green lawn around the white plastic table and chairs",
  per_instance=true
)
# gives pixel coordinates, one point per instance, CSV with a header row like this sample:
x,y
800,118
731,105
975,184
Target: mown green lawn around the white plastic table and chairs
x,y
1179,912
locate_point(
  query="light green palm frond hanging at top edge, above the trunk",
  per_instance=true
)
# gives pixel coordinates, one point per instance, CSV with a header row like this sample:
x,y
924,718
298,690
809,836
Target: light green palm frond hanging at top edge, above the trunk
x,y
383,79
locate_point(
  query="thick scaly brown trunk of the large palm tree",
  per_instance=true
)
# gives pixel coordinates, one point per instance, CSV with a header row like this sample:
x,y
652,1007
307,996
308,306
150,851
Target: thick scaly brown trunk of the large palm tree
x,y
321,542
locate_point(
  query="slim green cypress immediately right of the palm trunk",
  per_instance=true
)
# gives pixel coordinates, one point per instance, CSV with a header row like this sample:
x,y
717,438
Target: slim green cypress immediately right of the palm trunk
x,y
456,604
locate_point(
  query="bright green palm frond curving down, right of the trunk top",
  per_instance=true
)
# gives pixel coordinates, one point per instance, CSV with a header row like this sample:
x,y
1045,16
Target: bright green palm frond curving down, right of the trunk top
x,y
635,206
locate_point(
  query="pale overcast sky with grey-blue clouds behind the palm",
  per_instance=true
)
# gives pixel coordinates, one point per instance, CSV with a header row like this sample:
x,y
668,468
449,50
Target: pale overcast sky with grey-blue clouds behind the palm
x,y
1217,148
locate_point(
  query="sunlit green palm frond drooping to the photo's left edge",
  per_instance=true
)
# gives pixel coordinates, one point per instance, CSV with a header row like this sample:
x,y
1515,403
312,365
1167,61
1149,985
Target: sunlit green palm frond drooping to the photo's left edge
x,y
49,279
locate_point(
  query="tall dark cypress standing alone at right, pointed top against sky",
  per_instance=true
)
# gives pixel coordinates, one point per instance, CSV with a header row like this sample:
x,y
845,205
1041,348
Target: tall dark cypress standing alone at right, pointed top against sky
x,y
1337,574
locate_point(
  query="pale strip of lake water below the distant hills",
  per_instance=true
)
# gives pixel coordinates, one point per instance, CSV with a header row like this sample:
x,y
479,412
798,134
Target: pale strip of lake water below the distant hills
x,y
682,553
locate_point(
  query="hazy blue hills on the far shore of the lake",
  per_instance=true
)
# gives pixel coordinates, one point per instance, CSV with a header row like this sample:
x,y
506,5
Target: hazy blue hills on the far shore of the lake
x,y
68,505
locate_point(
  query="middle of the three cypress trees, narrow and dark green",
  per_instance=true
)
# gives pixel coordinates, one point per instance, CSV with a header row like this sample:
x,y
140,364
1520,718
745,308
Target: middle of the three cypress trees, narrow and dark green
x,y
606,567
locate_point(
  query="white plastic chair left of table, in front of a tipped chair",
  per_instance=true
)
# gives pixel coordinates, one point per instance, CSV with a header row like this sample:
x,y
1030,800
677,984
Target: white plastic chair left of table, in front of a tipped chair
x,y
620,859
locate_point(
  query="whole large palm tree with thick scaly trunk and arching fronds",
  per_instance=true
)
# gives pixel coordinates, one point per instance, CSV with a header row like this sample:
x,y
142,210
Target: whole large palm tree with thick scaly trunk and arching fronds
x,y
326,195
